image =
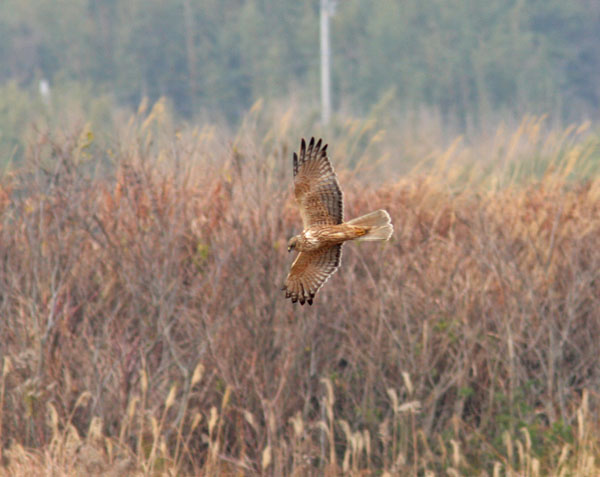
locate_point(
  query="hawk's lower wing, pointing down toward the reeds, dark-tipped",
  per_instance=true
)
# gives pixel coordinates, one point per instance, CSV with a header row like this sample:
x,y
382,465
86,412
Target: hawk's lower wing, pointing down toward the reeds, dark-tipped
x,y
309,271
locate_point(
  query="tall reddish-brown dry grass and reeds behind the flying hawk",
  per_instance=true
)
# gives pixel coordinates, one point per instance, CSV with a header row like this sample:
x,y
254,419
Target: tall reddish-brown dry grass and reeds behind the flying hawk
x,y
144,333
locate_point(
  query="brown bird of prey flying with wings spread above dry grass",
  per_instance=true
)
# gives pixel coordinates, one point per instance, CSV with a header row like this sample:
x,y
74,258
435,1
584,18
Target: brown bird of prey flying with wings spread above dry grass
x,y
319,198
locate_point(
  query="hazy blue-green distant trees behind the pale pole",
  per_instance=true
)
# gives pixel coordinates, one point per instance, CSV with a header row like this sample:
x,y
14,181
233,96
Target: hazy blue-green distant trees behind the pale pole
x,y
464,58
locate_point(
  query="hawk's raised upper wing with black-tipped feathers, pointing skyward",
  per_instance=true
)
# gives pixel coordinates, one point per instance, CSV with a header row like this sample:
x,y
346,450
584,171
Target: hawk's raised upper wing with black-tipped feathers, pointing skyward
x,y
316,186
